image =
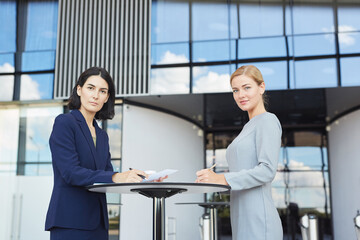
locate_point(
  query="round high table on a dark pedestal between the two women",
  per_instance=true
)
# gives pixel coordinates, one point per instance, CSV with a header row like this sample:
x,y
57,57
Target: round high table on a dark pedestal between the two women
x,y
158,192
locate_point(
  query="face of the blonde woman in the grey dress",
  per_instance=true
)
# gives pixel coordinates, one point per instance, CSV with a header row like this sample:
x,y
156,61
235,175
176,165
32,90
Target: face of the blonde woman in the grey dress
x,y
247,93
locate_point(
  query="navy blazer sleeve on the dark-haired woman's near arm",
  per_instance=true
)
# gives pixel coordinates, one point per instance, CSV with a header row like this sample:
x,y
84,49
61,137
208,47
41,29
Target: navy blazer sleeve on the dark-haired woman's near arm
x,y
66,159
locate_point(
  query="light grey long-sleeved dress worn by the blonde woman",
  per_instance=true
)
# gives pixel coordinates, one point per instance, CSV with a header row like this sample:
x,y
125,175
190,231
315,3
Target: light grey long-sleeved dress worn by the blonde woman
x,y
252,159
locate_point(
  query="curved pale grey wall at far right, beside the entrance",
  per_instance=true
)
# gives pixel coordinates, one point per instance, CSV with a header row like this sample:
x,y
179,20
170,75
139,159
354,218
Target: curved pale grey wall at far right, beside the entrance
x,y
344,156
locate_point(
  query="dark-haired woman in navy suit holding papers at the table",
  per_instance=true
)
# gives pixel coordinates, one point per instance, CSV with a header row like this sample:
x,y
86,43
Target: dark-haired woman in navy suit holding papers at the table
x,y
81,157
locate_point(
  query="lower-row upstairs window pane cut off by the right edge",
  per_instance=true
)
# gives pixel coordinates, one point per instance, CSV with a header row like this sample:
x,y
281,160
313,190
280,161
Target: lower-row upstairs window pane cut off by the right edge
x,y
350,71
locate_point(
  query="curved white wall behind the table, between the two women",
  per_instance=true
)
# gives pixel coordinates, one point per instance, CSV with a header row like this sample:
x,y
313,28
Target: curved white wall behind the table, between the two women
x,y
154,141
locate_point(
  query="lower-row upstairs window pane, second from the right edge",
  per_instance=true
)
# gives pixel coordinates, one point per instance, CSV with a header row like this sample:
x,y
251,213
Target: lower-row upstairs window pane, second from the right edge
x,y
315,73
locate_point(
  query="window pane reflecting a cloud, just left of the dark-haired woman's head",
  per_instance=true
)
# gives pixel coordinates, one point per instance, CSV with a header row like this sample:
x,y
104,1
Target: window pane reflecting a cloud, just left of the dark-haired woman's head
x,y
36,86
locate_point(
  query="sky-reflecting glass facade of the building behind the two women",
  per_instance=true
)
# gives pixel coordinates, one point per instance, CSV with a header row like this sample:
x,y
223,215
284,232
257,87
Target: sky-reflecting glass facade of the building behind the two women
x,y
195,46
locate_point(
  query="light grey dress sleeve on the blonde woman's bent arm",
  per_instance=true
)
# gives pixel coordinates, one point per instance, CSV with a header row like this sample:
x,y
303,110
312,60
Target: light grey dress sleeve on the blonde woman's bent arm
x,y
267,148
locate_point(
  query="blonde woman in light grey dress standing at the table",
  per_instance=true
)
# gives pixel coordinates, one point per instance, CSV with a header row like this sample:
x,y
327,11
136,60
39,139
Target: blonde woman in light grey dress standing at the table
x,y
252,158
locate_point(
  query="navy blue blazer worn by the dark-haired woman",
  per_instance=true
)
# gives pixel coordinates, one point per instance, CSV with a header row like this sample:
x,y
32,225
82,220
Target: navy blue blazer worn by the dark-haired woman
x,y
78,163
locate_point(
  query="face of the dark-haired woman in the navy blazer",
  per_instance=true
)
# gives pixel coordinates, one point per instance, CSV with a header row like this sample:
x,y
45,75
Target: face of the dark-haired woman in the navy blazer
x,y
93,94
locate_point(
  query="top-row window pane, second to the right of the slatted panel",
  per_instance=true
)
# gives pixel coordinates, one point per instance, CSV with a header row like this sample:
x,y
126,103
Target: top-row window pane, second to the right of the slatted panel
x,y
210,21
